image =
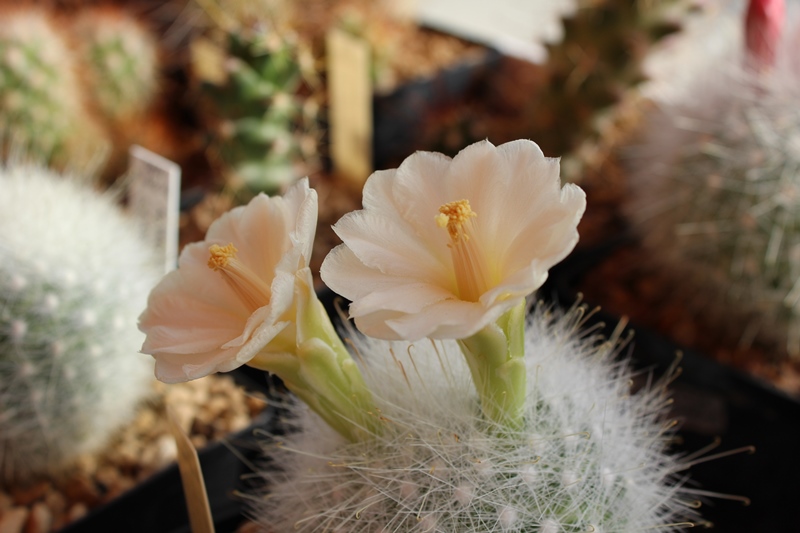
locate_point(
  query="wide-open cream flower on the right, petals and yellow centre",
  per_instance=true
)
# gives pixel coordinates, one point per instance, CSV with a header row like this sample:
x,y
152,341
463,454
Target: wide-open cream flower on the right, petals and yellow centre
x,y
444,247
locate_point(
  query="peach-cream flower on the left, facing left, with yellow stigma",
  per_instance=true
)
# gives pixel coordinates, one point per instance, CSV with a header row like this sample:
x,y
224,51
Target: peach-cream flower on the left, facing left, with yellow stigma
x,y
234,292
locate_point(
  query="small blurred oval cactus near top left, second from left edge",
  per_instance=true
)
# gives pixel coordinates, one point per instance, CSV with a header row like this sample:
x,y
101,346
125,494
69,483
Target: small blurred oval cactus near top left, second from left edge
x,y
120,57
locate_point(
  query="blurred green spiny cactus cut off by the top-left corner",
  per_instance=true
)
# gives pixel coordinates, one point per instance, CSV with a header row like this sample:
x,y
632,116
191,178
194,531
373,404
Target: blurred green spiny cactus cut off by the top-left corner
x,y
41,104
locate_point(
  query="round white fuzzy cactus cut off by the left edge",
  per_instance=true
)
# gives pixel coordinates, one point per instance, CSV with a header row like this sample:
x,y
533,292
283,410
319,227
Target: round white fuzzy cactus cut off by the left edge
x,y
74,276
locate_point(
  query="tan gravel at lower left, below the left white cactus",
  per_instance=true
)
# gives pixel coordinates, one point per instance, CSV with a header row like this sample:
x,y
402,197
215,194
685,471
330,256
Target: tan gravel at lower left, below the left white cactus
x,y
141,448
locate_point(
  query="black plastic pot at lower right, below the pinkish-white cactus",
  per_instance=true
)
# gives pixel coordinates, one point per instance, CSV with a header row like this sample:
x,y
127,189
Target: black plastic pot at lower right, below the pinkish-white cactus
x,y
714,401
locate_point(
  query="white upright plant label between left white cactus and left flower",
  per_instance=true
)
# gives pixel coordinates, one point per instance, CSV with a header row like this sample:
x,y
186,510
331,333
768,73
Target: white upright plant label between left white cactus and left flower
x,y
155,200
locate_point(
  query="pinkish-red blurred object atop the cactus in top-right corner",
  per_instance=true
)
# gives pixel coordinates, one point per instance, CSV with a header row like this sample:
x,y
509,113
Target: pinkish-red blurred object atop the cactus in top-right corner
x,y
763,25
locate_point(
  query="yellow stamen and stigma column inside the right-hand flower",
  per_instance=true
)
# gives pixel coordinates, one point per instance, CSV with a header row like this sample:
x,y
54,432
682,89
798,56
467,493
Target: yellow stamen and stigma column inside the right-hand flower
x,y
468,263
